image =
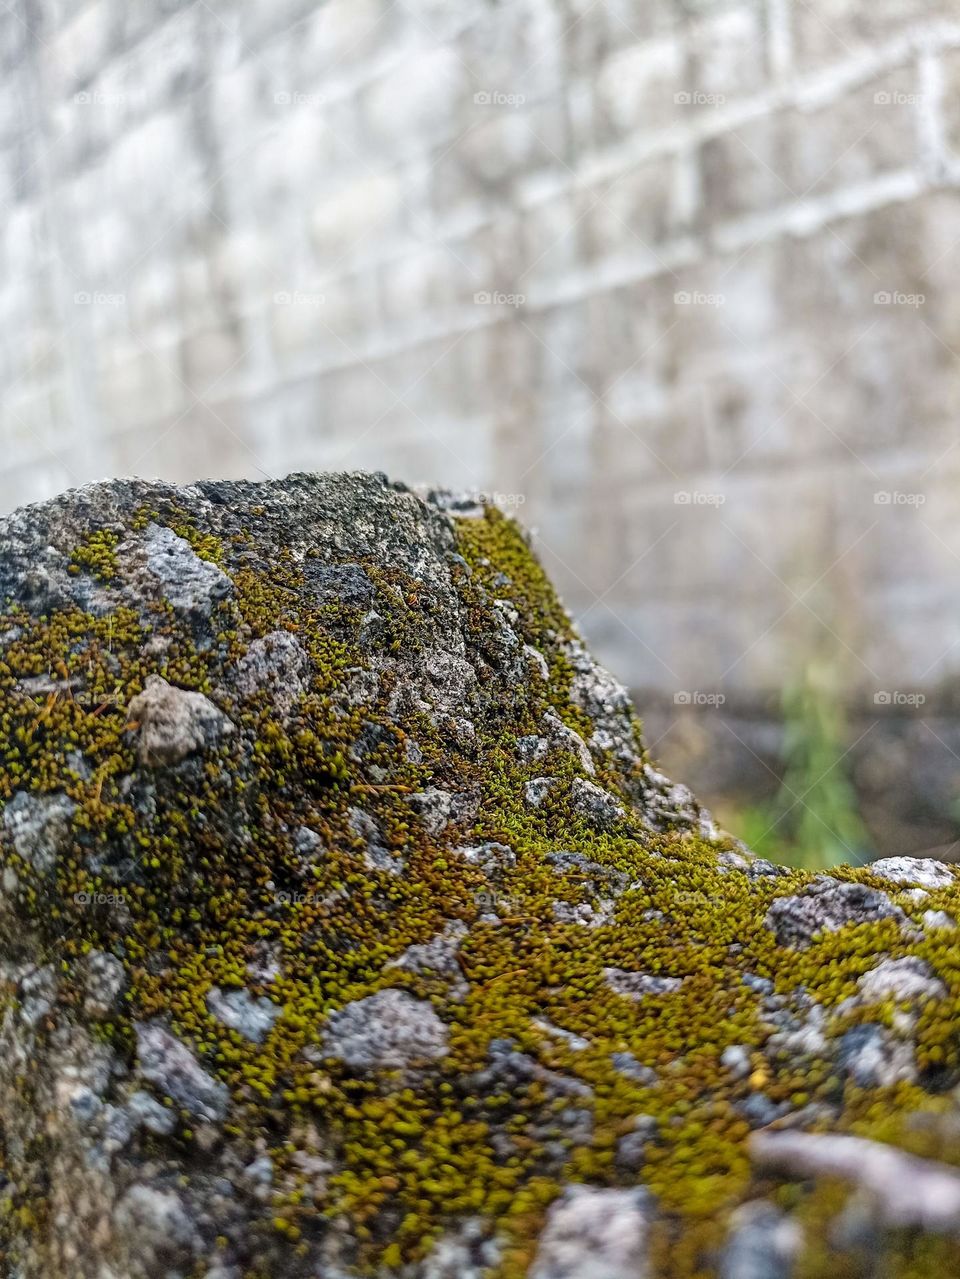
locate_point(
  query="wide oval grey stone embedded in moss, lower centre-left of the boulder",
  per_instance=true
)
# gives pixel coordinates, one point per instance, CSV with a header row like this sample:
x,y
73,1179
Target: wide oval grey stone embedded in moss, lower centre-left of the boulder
x,y
388,1032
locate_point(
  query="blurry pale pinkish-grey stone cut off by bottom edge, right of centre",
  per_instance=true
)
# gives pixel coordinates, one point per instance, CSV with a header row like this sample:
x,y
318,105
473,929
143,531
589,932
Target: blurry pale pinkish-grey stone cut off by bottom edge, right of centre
x,y
595,1235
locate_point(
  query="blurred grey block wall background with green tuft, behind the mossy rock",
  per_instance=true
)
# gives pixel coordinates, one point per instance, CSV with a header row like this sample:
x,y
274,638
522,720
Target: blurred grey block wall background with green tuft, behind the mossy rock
x,y
676,279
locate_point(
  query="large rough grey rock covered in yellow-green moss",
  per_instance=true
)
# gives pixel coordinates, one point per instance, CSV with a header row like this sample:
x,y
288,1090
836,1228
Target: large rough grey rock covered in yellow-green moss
x,y
347,930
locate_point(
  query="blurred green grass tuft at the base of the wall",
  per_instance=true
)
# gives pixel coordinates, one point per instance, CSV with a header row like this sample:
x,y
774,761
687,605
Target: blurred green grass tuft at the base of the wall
x,y
814,820
